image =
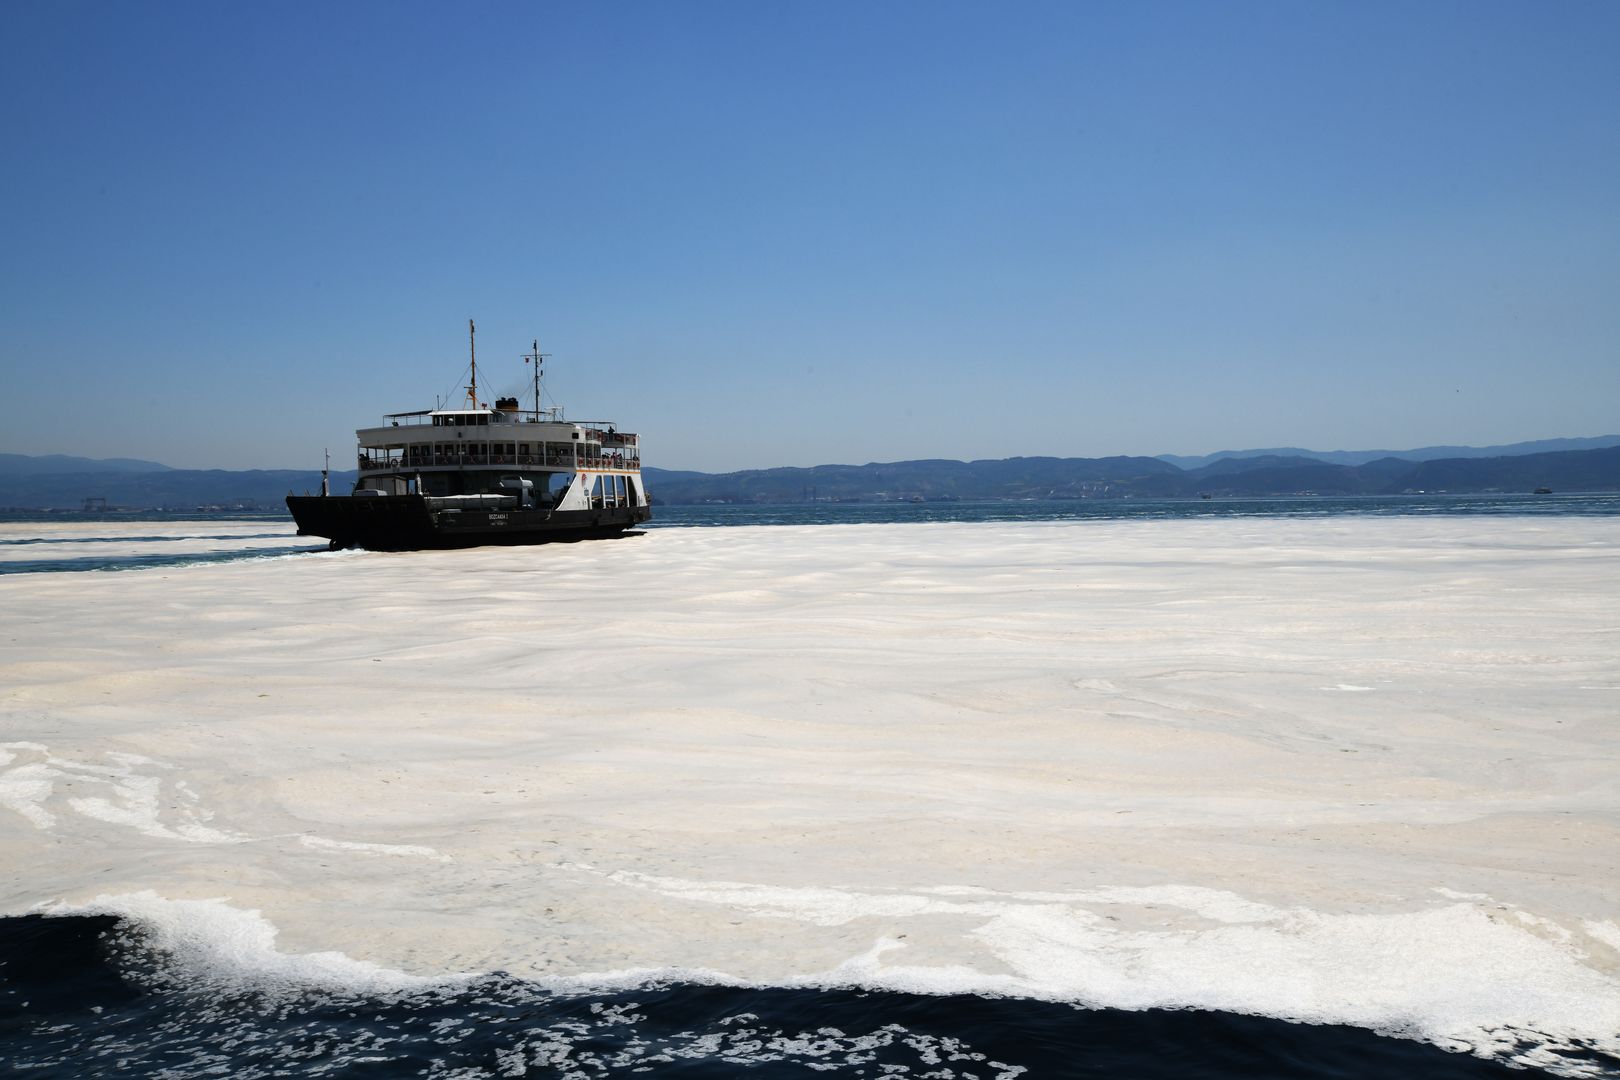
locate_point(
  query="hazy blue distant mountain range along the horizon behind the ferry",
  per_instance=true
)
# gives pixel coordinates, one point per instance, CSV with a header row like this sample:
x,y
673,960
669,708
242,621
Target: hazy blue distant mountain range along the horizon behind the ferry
x,y
66,483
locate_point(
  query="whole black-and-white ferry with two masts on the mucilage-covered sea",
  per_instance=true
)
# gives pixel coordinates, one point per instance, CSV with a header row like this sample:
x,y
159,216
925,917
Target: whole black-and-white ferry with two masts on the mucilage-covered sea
x,y
477,475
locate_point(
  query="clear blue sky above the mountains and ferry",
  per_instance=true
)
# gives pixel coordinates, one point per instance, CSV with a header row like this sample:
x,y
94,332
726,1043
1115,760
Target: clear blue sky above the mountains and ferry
x,y
811,232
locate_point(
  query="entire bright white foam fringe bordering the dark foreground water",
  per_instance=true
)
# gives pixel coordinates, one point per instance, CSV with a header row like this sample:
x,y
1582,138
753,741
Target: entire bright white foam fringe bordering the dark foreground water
x,y
1456,976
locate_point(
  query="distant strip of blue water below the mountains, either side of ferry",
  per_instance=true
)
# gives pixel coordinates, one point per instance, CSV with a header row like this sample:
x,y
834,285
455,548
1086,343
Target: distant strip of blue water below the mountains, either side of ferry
x,y
163,550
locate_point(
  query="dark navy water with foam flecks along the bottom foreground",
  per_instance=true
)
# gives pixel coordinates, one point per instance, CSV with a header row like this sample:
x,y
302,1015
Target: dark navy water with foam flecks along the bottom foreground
x,y
85,997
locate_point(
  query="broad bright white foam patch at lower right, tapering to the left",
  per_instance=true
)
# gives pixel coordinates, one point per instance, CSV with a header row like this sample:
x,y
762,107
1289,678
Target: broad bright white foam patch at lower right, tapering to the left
x,y
1459,976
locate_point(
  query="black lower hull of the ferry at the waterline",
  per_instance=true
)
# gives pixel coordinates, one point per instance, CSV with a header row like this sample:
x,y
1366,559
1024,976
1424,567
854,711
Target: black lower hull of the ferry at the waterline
x,y
409,524
